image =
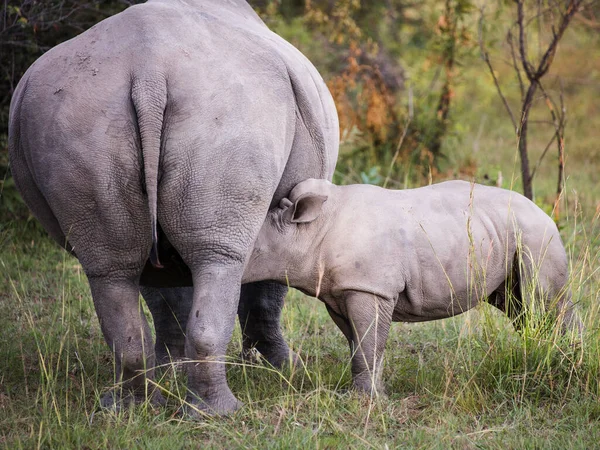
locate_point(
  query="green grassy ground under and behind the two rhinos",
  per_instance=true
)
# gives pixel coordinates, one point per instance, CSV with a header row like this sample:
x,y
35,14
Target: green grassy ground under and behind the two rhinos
x,y
466,382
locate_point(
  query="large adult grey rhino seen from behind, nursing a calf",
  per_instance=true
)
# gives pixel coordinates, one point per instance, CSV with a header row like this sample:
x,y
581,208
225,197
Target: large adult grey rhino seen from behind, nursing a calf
x,y
165,133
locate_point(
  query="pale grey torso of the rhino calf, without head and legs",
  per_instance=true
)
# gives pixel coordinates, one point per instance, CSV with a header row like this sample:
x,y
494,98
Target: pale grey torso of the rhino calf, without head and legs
x,y
441,247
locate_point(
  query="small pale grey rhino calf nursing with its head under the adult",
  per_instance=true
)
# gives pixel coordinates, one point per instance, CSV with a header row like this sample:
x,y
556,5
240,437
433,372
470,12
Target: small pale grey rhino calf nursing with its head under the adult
x,y
374,256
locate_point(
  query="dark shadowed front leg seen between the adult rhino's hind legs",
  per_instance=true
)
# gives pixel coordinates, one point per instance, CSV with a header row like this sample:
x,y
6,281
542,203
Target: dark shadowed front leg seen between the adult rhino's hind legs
x,y
170,308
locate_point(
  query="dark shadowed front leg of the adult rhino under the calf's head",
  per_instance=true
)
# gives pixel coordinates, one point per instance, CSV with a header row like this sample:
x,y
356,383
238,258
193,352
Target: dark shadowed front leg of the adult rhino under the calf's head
x,y
259,313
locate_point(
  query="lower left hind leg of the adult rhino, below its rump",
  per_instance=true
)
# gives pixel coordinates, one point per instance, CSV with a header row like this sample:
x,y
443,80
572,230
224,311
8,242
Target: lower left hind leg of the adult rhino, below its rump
x,y
127,333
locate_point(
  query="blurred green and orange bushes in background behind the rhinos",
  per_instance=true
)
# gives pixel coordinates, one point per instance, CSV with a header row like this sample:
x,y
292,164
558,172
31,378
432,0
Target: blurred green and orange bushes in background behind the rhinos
x,y
395,68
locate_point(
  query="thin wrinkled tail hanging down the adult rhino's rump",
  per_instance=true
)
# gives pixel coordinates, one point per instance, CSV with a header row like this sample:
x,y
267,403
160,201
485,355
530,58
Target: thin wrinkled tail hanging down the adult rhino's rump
x,y
149,97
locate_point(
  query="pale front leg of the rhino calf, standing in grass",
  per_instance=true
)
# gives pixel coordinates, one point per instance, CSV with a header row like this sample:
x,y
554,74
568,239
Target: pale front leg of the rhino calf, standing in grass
x,y
370,318
